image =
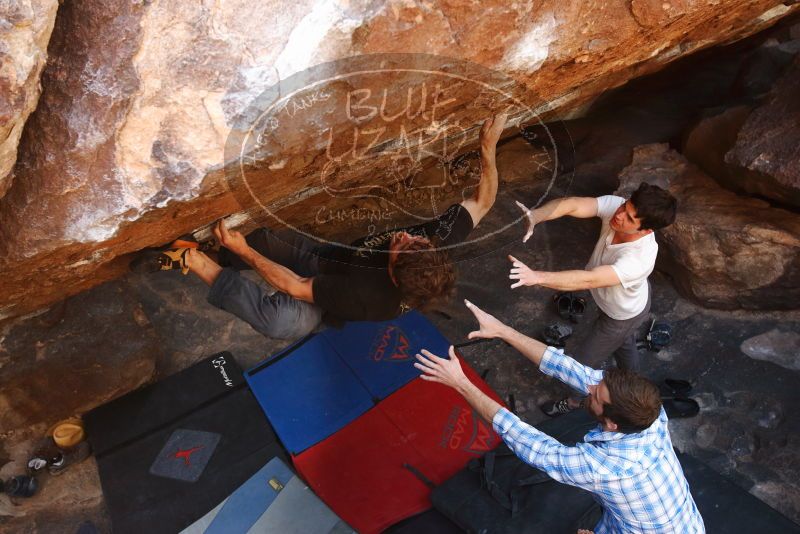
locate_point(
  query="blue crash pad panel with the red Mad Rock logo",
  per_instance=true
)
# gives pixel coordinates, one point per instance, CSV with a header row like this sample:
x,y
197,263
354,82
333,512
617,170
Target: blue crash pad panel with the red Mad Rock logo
x,y
382,354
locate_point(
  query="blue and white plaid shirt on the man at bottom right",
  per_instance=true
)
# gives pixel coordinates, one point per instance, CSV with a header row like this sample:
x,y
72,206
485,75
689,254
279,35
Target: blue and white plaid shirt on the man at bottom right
x,y
636,478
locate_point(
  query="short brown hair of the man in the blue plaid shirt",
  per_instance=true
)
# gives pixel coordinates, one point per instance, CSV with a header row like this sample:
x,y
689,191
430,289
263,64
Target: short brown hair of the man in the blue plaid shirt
x,y
635,401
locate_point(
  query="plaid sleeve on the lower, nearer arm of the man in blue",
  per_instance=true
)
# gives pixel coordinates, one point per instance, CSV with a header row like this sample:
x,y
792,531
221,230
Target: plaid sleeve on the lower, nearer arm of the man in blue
x,y
564,464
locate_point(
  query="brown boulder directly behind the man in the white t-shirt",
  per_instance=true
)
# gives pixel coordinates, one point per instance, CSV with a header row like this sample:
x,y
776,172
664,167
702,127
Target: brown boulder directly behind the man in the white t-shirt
x,y
724,250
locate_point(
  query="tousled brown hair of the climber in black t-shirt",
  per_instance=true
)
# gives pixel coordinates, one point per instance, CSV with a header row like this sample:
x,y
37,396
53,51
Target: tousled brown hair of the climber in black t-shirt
x,y
424,274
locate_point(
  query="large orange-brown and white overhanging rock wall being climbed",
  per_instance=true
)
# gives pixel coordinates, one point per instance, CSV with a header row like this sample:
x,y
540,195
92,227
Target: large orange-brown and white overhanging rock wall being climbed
x,y
128,146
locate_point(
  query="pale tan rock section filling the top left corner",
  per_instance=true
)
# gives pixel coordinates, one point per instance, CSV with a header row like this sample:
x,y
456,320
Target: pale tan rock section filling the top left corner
x,y
25,28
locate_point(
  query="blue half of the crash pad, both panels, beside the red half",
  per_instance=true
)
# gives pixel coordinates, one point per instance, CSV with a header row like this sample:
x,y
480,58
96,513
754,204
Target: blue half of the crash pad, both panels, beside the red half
x,y
322,383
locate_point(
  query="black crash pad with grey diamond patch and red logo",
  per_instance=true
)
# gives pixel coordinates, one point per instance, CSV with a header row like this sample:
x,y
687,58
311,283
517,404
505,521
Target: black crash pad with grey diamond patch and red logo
x,y
191,440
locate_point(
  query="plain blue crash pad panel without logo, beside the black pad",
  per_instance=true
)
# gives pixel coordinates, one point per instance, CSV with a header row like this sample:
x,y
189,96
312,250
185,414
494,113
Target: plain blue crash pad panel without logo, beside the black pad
x,y
308,393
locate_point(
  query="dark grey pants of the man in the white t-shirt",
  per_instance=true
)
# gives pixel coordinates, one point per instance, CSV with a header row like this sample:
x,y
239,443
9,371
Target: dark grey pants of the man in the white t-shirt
x,y
611,336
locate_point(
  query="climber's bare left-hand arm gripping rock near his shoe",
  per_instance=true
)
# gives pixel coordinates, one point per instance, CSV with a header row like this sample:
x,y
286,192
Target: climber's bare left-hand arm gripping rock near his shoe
x,y
277,275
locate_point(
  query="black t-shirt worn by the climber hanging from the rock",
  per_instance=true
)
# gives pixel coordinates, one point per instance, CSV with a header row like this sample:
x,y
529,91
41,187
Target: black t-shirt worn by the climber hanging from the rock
x,y
354,283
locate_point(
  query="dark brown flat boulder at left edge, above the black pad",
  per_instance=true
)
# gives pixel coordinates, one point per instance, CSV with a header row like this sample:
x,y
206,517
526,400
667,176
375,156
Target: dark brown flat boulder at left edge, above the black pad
x,y
85,351
